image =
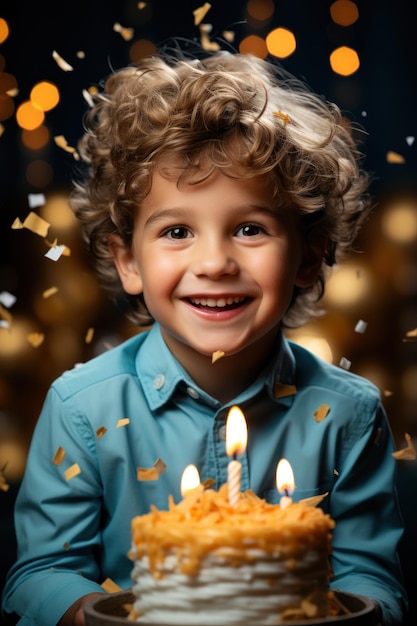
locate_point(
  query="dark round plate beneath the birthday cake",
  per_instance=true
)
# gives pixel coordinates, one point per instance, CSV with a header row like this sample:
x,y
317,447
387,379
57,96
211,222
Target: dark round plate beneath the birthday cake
x,y
110,611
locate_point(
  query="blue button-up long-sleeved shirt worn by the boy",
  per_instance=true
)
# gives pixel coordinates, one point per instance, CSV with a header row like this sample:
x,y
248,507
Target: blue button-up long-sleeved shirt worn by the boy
x,y
135,404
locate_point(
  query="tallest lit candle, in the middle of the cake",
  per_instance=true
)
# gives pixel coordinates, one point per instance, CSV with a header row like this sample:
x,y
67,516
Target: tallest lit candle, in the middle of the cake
x,y
236,440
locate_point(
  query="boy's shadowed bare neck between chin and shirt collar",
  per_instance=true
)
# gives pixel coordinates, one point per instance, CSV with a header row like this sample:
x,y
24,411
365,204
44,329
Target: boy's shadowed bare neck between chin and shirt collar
x,y
230,375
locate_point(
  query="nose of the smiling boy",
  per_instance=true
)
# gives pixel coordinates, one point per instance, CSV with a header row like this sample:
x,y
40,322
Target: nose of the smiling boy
x,y
214,259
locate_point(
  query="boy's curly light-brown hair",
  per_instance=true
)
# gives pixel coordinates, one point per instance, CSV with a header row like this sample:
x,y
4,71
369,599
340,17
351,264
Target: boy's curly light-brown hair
x,y
236,112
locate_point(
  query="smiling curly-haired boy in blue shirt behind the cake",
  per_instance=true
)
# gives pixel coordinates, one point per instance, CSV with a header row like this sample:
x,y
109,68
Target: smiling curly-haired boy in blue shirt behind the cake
x,y
218,192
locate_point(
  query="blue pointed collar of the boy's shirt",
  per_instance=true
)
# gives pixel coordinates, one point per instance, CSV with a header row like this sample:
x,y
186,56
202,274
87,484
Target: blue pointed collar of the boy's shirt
x,y
161,374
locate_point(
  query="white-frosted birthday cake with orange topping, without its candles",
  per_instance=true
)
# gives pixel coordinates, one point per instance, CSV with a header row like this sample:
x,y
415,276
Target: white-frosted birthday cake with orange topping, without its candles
x,y
207,562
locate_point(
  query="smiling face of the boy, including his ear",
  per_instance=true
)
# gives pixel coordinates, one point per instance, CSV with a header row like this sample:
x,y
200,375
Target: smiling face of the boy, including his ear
x,y
216,262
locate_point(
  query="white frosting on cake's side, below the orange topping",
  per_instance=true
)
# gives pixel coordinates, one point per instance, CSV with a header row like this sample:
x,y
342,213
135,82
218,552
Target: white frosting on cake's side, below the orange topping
x,y
254,593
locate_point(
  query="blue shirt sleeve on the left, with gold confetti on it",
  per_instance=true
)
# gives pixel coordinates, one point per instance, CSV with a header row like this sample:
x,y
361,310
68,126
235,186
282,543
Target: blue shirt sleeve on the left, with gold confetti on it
x,y
57,519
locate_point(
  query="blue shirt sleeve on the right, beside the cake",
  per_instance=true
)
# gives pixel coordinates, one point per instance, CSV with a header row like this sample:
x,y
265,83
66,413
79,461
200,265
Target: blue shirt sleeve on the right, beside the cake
x,y
368,523
